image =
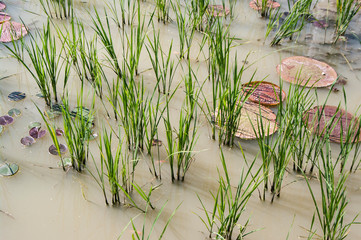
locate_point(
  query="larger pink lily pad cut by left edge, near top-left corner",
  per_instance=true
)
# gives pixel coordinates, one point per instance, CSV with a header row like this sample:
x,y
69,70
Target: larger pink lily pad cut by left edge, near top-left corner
x,y
12,30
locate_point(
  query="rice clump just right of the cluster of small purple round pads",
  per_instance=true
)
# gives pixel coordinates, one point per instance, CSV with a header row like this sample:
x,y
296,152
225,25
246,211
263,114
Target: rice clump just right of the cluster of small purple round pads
x,y
77,131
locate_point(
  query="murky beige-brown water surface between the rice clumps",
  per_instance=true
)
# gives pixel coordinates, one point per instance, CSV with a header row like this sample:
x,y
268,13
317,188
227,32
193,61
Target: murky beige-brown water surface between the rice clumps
x,y
43,202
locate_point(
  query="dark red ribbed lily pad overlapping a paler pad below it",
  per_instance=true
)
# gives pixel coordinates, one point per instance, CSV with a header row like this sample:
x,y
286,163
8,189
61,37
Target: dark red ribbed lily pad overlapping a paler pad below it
x,y
265,93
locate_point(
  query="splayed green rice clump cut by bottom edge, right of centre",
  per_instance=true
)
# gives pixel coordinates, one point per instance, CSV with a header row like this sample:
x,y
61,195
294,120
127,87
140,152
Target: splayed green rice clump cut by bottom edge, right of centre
x,y
229,206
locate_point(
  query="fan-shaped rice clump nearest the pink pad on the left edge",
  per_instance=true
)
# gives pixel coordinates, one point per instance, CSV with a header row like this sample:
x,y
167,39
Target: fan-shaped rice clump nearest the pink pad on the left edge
x,y
47,62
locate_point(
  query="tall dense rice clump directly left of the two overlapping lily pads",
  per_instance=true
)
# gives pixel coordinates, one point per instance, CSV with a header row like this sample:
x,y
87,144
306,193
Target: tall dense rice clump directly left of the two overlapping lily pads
x,y
227,95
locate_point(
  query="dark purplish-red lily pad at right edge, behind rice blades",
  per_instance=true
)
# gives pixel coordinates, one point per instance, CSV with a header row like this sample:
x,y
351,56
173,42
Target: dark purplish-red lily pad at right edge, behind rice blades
x,y
319,118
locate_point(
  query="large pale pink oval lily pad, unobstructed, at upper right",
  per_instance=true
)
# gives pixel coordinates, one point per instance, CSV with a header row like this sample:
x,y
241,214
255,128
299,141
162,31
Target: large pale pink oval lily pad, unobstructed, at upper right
x,y
306,72
